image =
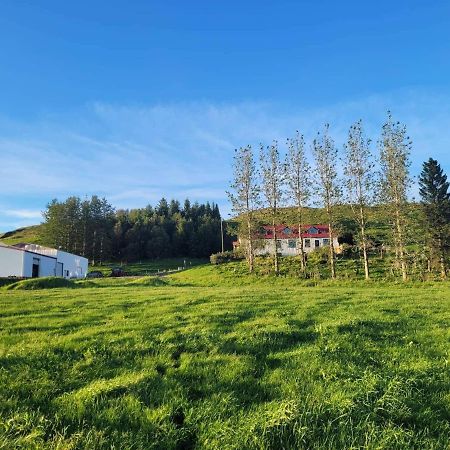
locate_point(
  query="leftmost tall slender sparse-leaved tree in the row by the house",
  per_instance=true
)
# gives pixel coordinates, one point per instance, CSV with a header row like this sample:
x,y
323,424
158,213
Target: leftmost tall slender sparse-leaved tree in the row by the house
x,y
245,197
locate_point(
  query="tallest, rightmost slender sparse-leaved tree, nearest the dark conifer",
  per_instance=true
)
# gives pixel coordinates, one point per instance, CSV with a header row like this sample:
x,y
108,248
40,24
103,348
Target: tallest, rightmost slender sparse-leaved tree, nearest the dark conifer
x,y
395,148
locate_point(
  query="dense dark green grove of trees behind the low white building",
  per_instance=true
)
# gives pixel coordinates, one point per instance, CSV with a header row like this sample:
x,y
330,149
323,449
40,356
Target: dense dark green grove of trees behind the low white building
x,y
94,229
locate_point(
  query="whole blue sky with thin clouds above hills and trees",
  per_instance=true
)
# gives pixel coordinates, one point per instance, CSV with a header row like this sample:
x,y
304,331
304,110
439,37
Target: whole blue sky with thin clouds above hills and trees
x,y
141,99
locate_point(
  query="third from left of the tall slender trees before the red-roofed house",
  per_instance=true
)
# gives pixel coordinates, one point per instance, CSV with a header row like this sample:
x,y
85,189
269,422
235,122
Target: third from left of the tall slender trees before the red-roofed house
x,y
297,172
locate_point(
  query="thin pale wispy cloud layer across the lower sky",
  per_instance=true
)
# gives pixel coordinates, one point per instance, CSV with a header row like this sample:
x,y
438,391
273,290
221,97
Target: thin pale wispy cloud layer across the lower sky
x,y
134,155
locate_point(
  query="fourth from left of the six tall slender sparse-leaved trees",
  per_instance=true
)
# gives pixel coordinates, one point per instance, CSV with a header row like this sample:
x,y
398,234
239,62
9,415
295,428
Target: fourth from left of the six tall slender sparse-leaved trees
x,y
325,155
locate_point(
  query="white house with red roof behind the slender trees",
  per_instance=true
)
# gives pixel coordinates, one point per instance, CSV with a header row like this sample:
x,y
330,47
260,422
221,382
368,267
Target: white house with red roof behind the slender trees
x,y
288,241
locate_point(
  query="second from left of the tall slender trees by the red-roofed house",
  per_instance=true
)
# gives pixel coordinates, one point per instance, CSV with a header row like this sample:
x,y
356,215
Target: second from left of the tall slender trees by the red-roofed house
x,y
272,187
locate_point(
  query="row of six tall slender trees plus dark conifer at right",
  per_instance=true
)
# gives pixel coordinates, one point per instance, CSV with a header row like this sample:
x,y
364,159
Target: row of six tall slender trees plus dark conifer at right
x,y
366,179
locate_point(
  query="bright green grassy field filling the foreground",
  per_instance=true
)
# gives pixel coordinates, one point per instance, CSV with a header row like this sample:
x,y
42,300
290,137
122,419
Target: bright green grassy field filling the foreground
x,y
208,358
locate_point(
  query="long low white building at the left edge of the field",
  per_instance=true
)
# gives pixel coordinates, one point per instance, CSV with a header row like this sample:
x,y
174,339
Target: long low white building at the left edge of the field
x,y
32,261
